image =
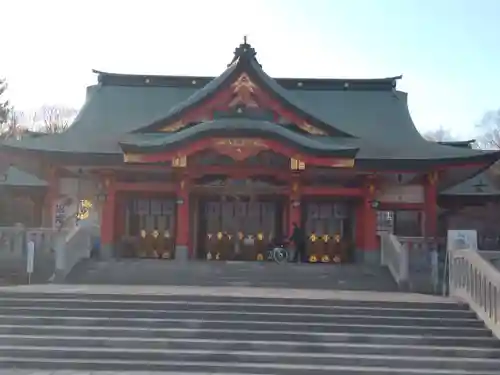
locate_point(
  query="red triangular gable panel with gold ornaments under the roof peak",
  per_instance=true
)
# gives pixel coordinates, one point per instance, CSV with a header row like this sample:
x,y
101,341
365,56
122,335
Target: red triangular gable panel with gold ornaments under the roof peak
x,y
242,98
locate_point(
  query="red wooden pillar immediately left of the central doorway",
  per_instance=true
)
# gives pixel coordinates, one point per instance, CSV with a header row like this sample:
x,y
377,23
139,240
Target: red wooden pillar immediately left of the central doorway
x,y
182,241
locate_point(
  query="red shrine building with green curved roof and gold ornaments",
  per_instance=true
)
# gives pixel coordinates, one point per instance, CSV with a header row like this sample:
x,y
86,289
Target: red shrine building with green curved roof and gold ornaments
x,y
189,167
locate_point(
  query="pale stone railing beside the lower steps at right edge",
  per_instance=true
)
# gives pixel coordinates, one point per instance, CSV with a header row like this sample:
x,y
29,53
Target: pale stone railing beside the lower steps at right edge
x,y
476,282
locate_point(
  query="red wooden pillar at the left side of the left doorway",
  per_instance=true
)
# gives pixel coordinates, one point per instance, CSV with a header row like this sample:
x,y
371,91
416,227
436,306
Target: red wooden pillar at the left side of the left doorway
x,y
108,219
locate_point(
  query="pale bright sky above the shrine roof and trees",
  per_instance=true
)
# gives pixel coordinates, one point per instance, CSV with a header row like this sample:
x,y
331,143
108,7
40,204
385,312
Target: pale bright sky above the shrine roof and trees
x,y
446,50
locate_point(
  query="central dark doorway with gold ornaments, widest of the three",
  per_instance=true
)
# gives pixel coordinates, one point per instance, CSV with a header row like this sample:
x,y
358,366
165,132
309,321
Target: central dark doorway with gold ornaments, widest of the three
x,y
238,228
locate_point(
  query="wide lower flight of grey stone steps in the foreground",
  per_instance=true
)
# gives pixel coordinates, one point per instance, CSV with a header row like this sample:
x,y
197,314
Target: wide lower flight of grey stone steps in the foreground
x,y
242,335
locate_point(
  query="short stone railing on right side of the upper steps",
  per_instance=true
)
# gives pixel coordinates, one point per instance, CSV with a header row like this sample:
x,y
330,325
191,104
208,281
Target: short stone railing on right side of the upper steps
x,y
395,257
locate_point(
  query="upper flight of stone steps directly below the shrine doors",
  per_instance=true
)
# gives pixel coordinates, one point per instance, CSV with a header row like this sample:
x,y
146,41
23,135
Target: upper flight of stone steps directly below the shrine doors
x,y
232,274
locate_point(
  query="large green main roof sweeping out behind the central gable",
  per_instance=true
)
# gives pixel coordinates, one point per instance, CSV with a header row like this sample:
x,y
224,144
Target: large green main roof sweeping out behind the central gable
x,y
373,112
